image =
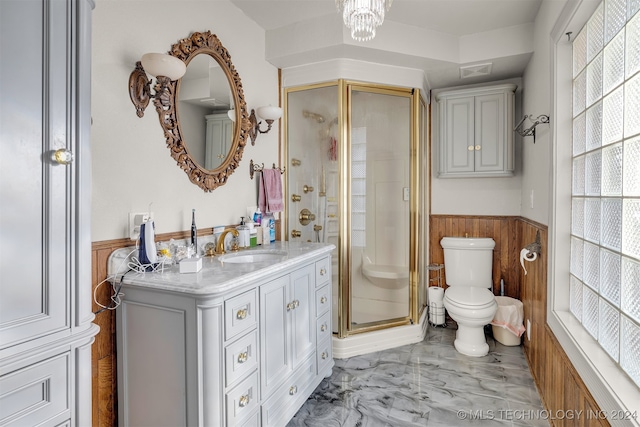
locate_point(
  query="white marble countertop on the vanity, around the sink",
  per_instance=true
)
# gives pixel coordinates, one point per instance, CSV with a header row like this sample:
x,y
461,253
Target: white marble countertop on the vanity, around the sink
x,y
216,276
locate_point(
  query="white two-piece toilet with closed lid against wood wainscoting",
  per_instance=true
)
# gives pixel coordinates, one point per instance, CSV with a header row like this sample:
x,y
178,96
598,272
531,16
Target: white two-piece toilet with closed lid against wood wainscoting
x,y
468,264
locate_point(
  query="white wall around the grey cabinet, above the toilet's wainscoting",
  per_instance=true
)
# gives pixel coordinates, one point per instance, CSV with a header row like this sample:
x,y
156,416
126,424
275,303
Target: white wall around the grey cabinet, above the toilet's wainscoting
x,y
476,196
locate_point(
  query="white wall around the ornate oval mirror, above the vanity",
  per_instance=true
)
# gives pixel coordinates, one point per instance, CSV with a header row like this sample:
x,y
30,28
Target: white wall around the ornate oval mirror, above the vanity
x,y
132,167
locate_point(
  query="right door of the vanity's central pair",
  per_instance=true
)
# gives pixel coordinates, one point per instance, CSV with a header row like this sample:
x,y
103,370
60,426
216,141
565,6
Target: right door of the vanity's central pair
x,y
302,312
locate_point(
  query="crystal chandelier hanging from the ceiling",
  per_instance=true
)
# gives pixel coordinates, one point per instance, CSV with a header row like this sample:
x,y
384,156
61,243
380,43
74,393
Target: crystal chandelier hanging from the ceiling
x,y
363,16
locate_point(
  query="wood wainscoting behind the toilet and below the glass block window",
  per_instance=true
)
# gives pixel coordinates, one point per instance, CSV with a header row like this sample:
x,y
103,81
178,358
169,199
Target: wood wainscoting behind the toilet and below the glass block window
x,y
559,385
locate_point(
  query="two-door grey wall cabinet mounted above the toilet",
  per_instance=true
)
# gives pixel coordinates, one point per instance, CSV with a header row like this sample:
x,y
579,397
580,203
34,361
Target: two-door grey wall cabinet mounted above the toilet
x,y
475,132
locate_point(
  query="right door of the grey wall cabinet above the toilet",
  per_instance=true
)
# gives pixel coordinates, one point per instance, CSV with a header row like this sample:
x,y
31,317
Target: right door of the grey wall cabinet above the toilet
x,y
489,132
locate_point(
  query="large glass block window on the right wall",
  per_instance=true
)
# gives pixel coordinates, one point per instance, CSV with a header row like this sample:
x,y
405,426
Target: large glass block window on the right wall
x,y
604,283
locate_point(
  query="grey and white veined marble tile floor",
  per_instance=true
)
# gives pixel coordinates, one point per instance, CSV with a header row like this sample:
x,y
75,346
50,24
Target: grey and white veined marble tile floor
x,y
427,384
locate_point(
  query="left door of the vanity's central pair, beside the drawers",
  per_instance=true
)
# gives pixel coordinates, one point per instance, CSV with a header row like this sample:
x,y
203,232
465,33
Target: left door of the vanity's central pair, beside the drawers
x,y
275,357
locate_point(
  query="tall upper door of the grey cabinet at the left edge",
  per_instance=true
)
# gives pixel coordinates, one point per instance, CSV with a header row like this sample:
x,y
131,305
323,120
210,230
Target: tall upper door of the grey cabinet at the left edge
x,y
37,194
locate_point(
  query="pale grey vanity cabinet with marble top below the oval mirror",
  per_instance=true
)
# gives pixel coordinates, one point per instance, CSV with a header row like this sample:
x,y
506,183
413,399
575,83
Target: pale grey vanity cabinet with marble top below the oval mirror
x,y
211,349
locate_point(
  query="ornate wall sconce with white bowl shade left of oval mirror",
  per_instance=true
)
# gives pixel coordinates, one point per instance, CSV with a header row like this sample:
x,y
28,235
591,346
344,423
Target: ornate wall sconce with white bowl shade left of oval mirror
x,y
165,68
